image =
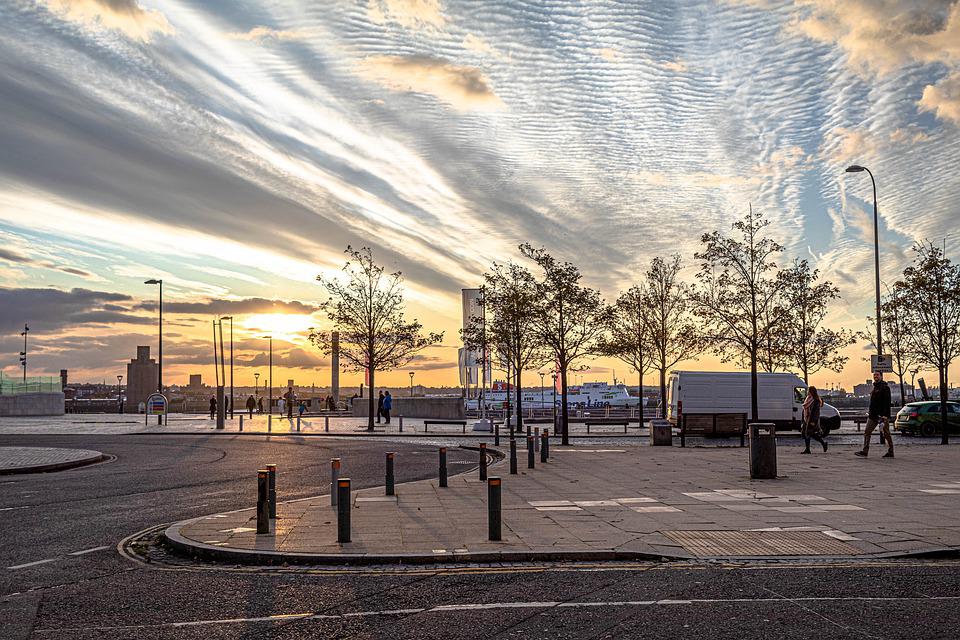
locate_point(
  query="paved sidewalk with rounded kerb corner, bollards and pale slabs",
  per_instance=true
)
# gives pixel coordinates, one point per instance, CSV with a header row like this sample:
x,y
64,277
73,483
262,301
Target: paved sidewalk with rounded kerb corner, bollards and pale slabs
x,y
628,502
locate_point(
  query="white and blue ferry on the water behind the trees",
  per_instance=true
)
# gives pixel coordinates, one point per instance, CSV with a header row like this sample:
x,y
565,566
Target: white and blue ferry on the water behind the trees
x,y
584,396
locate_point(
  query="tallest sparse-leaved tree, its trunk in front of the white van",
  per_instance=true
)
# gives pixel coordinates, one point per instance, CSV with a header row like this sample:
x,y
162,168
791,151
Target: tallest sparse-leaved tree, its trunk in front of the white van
x,y
736,292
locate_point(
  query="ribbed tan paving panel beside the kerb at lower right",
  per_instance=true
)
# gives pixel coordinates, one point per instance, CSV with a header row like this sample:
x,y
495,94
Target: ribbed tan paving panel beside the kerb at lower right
x,y
760,543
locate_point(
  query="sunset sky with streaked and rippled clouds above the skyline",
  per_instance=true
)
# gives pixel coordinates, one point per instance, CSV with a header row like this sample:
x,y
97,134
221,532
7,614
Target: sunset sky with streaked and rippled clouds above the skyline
x,y
234,149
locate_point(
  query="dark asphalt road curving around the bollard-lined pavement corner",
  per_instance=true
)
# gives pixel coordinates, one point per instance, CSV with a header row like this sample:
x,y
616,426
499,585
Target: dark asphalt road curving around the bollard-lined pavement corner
x,y
100,594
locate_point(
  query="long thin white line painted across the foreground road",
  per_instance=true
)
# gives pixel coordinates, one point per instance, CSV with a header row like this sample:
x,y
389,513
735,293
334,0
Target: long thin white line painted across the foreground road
x,y
455,608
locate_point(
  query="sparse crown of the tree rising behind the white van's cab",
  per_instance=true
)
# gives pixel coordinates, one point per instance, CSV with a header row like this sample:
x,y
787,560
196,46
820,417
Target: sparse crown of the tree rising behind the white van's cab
x,y
806,344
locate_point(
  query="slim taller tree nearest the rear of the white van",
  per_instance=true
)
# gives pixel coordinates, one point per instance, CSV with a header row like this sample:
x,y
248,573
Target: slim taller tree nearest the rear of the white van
x,y
673,334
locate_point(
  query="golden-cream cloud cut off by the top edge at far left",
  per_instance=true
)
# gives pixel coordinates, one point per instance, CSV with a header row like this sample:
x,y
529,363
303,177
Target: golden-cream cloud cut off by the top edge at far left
x,y
126,16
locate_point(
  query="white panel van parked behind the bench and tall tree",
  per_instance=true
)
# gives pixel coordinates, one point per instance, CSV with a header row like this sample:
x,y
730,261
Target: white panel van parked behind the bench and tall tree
x,y
779,397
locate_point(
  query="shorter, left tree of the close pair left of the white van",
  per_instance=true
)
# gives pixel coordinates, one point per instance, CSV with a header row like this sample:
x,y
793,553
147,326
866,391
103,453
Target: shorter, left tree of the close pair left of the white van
x,y
629,335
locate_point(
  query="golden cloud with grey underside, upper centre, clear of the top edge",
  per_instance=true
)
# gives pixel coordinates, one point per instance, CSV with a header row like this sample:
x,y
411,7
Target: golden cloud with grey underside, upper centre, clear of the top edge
x,y
464,88
